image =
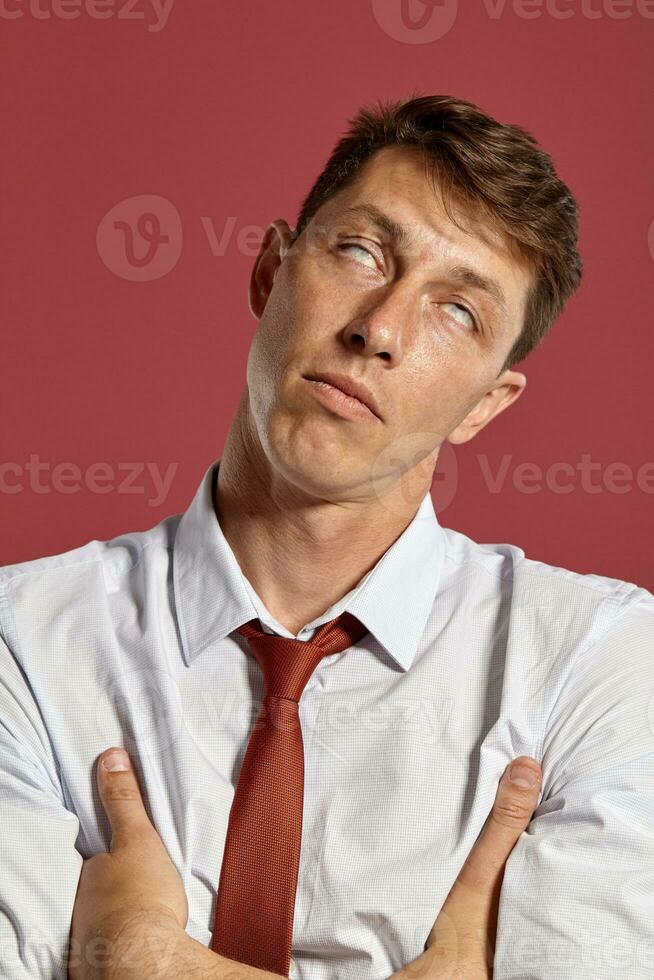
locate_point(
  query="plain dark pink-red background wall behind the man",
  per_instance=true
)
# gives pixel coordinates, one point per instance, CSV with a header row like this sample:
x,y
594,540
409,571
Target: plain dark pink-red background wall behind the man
x,y
228,111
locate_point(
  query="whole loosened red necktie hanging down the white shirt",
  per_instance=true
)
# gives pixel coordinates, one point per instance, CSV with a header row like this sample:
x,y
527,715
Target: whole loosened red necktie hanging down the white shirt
x,y
253,921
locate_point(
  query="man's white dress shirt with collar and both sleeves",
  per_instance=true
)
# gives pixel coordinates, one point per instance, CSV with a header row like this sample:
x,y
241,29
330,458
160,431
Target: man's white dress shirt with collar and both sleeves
x,y
475,654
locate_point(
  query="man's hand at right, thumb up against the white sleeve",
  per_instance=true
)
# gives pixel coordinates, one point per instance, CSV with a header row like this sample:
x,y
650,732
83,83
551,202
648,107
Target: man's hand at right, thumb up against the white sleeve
x,y
461,944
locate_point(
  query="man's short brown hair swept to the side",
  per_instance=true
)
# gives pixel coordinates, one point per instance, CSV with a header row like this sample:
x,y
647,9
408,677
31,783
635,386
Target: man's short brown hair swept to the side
x,y
482,162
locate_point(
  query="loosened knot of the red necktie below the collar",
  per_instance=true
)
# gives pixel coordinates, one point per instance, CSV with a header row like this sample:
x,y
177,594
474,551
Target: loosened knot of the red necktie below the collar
x,y
288,663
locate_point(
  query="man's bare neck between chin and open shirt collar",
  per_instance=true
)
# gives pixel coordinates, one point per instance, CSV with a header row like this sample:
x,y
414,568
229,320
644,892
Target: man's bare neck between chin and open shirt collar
x,y
299,552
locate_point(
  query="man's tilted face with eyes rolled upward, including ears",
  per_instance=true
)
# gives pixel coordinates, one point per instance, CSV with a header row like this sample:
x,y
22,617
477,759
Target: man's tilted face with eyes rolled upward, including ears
x,y
427,337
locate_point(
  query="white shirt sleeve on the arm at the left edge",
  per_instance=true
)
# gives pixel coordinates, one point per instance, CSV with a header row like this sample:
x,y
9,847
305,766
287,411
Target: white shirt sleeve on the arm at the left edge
x,y
39,864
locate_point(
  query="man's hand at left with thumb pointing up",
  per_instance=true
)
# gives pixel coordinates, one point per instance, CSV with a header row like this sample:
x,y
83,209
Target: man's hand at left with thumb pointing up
x,y
135,882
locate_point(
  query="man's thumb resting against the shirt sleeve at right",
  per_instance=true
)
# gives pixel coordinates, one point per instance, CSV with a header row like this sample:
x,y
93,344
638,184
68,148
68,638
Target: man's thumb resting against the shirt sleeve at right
x,y
512,810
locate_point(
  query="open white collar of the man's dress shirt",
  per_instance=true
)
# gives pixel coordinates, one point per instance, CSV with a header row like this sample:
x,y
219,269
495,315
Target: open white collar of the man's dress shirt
x,y
213,597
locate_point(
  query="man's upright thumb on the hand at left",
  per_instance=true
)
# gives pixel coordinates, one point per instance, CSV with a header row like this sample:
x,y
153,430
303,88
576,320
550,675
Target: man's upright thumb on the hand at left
x,y
121,796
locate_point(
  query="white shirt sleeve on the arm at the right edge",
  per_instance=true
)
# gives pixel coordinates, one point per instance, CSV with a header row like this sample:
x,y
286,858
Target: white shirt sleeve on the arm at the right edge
x,y
577,897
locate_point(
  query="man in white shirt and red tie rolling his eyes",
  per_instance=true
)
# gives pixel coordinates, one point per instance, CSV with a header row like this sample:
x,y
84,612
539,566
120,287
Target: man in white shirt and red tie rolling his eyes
x,y
432,254
